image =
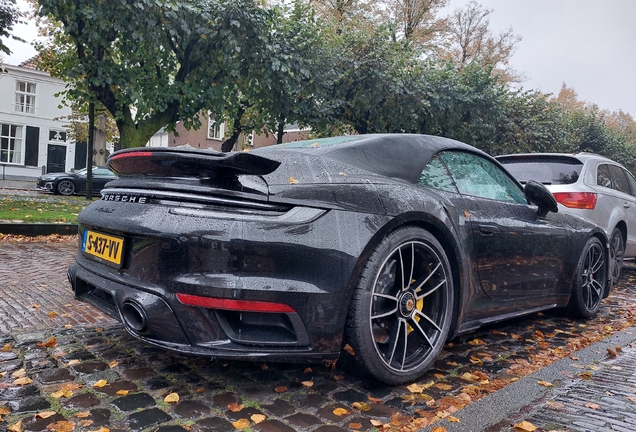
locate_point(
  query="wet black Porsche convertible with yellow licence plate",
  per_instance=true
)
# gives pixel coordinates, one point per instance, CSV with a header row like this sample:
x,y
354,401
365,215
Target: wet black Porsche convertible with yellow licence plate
x,y
392,244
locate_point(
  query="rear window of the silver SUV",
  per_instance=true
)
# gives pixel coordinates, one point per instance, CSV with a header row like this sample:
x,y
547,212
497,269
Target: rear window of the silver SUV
x,y
544,169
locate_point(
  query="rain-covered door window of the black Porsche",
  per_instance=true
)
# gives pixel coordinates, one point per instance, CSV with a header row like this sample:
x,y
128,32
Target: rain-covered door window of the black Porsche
x,y
477,176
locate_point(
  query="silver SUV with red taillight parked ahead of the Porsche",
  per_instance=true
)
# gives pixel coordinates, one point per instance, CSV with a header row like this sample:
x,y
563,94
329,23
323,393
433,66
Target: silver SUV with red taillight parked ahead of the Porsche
x,y
588,185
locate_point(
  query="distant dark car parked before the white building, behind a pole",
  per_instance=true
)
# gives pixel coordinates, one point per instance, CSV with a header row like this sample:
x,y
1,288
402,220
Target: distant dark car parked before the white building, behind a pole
x,y
75,182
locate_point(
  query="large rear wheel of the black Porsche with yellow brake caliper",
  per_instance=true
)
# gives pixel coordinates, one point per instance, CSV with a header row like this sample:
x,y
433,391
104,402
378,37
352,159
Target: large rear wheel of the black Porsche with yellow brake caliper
x,y
402,307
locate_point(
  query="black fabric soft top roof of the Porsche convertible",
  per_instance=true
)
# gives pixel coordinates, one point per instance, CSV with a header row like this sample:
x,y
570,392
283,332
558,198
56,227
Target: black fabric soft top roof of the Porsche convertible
x,y
400,156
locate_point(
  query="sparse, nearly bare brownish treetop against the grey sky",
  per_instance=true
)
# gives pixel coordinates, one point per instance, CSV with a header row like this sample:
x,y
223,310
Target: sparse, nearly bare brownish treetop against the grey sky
x,y
470,40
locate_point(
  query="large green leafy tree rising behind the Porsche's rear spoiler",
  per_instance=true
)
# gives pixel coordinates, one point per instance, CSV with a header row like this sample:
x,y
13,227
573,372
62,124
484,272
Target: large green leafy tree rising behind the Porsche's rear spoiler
x,y
152,63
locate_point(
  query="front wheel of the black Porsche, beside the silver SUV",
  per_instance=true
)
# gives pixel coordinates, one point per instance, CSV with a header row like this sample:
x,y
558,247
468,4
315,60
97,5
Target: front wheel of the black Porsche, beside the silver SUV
x,y
591,281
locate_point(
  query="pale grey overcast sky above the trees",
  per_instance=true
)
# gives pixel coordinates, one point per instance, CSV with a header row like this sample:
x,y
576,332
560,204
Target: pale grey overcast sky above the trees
x,y
588,44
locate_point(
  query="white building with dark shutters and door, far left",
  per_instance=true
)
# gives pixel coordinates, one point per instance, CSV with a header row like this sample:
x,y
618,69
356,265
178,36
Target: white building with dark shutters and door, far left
x,y
32,125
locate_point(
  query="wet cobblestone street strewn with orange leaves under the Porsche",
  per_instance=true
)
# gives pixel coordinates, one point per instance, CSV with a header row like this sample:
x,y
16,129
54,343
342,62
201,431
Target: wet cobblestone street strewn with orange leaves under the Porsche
x,y
79,370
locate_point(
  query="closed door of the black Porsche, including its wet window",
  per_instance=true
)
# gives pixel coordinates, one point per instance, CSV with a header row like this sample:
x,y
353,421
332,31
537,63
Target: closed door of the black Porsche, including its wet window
x,y
518,254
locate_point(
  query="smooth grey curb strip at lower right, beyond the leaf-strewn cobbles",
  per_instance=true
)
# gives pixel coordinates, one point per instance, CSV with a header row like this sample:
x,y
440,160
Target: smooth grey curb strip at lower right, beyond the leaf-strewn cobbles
x,y
498,406
